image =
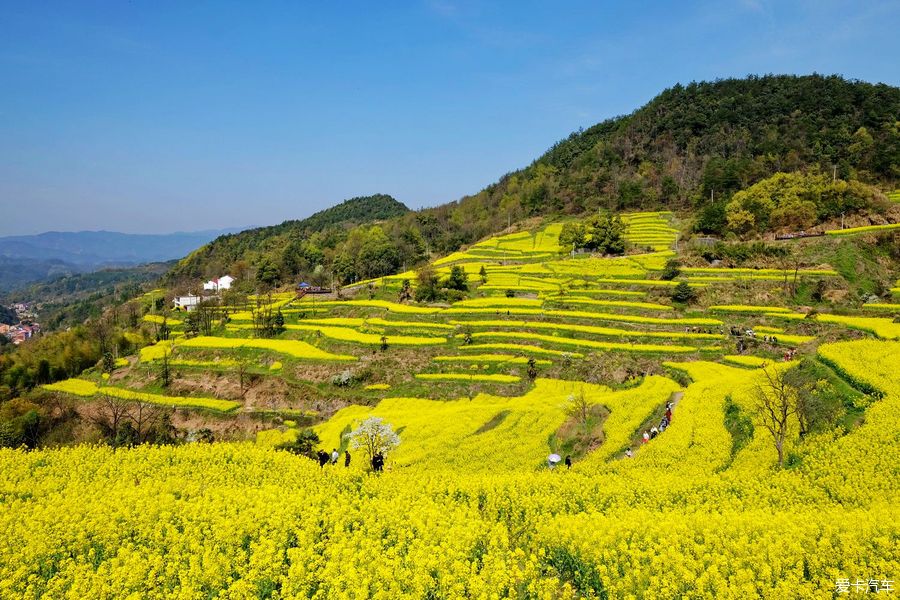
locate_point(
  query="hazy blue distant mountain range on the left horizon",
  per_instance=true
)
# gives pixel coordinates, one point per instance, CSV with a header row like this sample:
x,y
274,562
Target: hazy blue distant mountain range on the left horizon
x,y
28,258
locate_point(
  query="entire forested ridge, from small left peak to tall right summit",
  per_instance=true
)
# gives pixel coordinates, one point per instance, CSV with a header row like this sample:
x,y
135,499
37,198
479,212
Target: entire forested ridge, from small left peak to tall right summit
x,y
691,147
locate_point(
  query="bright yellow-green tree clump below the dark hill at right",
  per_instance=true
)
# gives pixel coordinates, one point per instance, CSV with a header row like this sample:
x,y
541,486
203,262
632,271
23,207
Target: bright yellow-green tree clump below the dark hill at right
x,y
797,201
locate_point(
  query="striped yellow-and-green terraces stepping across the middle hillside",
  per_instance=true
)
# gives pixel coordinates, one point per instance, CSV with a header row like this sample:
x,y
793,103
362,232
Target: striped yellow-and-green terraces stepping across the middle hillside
x,y
538,307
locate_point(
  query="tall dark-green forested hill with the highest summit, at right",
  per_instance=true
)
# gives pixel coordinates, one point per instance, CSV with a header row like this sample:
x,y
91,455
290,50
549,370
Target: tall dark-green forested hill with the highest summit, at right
x,y
716,138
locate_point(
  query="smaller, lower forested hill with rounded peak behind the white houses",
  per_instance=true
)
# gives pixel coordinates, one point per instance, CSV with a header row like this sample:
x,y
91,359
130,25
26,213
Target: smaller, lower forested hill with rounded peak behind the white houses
x,y
282,242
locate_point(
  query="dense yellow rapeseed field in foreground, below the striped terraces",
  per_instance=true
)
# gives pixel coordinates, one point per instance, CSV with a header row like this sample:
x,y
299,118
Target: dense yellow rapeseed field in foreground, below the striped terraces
x,y
683,518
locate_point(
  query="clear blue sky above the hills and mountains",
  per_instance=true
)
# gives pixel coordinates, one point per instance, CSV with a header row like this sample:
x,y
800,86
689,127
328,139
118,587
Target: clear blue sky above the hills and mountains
x,y
165,116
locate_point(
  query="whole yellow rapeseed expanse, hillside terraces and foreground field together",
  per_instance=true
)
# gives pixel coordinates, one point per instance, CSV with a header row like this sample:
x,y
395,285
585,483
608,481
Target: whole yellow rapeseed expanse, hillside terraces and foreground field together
x,y
579,356
